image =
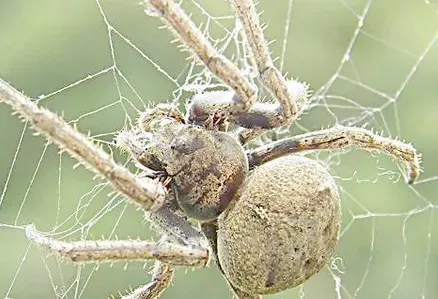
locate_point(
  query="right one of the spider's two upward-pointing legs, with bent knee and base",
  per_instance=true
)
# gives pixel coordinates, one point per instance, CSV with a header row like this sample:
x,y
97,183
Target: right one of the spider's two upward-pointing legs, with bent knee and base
x,y
291,95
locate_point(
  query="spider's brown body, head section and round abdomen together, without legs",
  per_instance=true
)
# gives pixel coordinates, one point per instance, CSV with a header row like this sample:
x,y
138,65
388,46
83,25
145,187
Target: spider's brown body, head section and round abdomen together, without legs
x,y
281,221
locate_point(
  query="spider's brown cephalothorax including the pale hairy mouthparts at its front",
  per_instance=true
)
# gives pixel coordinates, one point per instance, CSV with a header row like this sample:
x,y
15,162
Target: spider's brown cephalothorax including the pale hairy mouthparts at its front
x,y
189,154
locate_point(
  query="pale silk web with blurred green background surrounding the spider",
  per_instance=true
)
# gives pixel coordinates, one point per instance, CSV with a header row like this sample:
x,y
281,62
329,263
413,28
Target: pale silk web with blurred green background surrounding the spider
x,y
98,63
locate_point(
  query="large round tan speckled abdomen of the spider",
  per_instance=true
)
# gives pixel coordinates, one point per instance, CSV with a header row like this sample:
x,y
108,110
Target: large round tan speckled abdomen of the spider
x,y
282,228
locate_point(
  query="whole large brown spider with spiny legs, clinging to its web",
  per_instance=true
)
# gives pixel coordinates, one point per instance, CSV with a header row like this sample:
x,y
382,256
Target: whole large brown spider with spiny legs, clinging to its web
x,y
270,219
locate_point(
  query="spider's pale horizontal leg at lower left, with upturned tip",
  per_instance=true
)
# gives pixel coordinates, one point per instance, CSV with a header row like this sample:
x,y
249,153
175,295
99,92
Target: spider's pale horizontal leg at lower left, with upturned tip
x,y
121,250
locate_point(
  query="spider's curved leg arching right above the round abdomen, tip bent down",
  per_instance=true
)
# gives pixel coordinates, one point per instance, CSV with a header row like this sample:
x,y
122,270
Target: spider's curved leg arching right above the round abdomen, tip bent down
x,y
339,138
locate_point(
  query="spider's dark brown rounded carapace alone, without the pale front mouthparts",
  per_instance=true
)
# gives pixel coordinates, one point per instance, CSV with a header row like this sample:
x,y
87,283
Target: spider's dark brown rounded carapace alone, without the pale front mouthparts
x,y
207,169
